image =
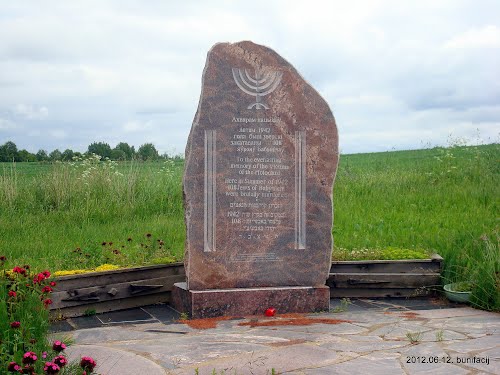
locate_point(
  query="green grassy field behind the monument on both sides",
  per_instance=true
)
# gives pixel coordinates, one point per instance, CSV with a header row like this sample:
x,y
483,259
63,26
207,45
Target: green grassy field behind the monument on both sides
x,y
445,200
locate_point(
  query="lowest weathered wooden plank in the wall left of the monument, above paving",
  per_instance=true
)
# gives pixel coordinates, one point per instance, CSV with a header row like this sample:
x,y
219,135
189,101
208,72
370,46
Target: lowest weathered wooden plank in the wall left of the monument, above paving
x,y
101,307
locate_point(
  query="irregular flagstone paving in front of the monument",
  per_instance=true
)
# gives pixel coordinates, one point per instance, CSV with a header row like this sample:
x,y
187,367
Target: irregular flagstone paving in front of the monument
x,y
381,337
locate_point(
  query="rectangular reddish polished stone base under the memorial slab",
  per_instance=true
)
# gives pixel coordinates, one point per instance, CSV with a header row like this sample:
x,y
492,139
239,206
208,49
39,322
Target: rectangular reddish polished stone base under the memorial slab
x,y
212,303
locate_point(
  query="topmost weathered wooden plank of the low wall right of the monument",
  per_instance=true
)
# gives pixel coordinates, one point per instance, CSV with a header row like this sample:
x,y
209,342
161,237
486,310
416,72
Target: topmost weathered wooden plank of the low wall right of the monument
x,y
387,266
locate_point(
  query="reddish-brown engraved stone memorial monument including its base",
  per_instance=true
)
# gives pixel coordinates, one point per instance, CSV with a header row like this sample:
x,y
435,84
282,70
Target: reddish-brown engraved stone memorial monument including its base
x,y
260,165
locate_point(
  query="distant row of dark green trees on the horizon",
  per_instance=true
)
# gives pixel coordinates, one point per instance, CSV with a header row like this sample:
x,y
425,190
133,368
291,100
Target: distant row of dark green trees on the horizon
x,y
122,151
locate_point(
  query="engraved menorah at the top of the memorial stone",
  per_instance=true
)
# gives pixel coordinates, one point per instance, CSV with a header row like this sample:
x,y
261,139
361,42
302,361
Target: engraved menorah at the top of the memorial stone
x,y
261,85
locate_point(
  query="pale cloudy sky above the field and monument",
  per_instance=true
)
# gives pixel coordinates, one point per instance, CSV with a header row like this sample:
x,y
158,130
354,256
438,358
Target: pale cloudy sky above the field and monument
x,y
397,74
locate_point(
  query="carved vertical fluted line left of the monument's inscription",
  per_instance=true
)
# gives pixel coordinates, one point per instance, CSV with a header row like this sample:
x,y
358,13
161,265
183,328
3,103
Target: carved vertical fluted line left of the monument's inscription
x,y
210,191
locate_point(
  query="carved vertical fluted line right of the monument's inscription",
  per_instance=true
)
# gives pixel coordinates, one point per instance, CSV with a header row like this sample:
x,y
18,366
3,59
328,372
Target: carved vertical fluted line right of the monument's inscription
x,y
300,190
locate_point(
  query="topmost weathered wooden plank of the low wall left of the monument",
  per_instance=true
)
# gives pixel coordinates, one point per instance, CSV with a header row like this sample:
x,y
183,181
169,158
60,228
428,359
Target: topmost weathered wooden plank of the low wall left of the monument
x,y
117,276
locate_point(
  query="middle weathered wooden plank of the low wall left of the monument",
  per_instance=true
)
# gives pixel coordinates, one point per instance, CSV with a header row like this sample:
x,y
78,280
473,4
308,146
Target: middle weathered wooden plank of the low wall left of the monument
x,y
102,293
